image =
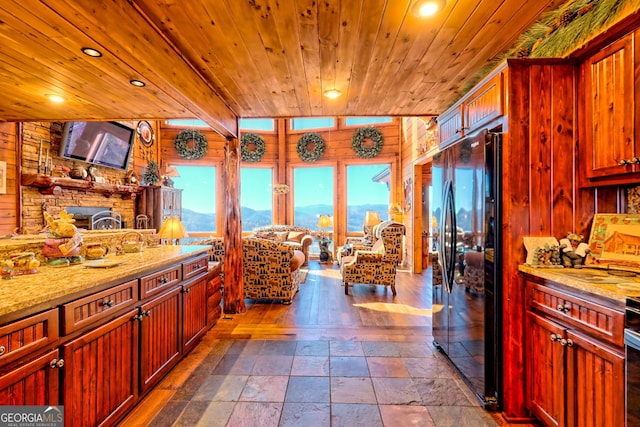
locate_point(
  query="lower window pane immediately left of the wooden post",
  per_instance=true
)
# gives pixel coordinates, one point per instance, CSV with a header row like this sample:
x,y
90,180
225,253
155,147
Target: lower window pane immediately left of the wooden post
x,y
198,185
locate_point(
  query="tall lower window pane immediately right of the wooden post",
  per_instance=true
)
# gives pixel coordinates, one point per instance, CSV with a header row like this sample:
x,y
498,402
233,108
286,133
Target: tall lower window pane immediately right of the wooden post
x,y
256,197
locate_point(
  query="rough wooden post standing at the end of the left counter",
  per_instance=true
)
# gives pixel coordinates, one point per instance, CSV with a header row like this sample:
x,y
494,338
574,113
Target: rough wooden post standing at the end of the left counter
x,y
233,255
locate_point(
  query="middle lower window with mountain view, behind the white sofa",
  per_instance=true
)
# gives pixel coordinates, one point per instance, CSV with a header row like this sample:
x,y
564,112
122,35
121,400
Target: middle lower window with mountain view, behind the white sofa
x,y
312,195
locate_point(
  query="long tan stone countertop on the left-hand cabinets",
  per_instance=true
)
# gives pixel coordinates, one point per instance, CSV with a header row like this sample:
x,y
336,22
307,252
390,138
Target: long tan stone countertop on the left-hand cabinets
x,y
52,284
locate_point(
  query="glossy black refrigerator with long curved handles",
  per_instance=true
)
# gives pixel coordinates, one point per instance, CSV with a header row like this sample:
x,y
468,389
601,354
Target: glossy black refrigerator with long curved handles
x,y
467,303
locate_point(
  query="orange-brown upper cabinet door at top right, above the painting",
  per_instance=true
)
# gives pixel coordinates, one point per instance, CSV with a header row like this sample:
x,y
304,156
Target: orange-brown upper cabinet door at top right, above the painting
x,y
609,91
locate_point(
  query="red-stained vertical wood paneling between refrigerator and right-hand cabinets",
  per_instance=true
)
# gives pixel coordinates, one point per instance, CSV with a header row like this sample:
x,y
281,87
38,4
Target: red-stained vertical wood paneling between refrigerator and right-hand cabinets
x,y
538,190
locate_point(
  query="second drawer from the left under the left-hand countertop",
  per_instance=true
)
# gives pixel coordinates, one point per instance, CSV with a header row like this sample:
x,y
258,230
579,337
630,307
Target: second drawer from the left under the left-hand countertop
x,y
80,313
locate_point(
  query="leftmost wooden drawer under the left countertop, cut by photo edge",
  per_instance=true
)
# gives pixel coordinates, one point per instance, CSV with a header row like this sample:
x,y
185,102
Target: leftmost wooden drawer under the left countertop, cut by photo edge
x,y
26,336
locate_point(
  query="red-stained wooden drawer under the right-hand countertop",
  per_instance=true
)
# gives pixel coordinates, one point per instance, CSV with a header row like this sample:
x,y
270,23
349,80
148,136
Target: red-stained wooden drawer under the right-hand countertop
x,y
591,318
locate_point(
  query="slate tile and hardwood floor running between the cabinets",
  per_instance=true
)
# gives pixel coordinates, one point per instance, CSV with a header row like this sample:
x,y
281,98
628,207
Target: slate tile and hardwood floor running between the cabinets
x,y
328,359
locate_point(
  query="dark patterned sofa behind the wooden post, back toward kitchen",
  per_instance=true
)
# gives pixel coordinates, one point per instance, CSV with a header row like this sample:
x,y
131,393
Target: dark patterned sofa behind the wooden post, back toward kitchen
x,y
271,268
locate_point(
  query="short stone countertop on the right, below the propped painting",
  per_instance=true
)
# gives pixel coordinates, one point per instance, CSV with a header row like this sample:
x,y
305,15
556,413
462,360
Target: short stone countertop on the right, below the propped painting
x,y
591,280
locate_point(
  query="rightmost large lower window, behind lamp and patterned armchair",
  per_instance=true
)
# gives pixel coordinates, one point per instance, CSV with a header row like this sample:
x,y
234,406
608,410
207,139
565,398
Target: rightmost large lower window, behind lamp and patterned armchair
x,y
365,193
